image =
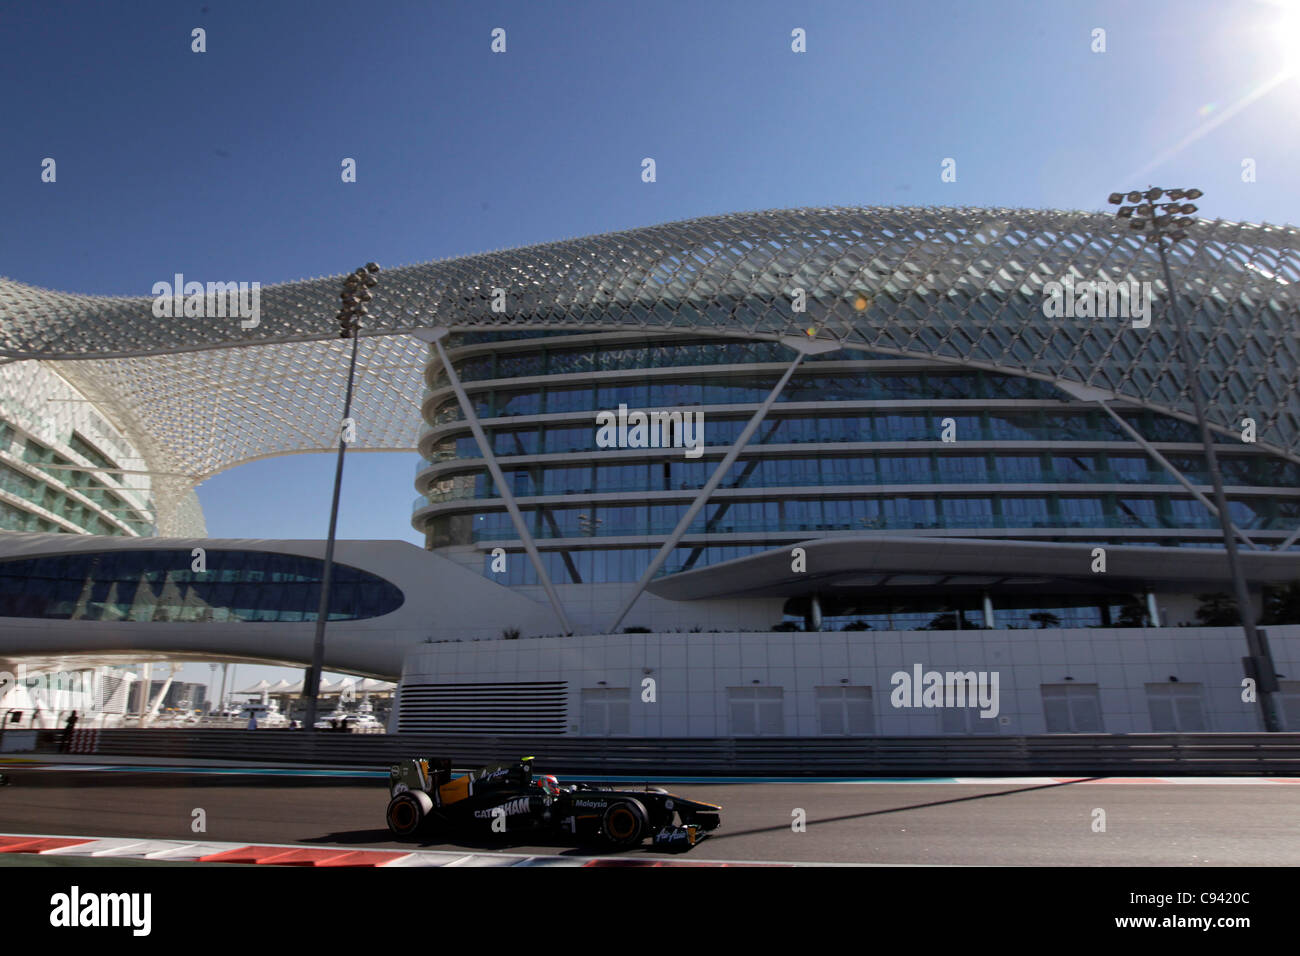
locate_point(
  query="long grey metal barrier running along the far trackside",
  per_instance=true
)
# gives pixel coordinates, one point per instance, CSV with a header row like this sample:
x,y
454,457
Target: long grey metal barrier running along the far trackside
x,y
1124,755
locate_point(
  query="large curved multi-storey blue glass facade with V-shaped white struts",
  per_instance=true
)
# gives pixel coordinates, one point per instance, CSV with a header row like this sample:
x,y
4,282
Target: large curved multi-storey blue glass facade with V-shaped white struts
x,y
851,447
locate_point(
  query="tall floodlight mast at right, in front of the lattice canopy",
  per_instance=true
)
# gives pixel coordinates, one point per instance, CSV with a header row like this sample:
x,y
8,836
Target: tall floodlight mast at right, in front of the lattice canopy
x,y
1259,664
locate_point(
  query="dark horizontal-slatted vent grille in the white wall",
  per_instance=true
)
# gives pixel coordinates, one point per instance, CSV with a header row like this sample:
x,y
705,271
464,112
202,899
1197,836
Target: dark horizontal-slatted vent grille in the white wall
x,y
538,707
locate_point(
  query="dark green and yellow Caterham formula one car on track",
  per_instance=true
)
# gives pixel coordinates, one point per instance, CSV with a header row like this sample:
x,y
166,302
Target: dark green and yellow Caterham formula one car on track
x,y
510,799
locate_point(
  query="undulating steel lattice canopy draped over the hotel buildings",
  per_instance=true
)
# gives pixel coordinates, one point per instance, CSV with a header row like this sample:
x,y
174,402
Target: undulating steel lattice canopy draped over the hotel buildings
x,y
957,285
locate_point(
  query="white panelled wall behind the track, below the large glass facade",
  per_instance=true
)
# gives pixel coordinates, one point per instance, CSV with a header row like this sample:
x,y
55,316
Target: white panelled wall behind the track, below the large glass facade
x,y
692,673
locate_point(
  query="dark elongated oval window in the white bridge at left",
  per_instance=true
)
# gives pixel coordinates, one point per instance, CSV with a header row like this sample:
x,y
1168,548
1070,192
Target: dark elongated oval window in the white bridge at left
x,y
158,585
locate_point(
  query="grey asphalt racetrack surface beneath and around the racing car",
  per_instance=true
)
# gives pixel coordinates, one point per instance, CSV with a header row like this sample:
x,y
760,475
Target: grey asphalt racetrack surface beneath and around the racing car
x,y
990,824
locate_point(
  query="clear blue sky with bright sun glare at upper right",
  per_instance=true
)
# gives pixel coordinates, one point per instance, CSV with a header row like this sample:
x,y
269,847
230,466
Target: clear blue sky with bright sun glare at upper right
x,y
227,165
